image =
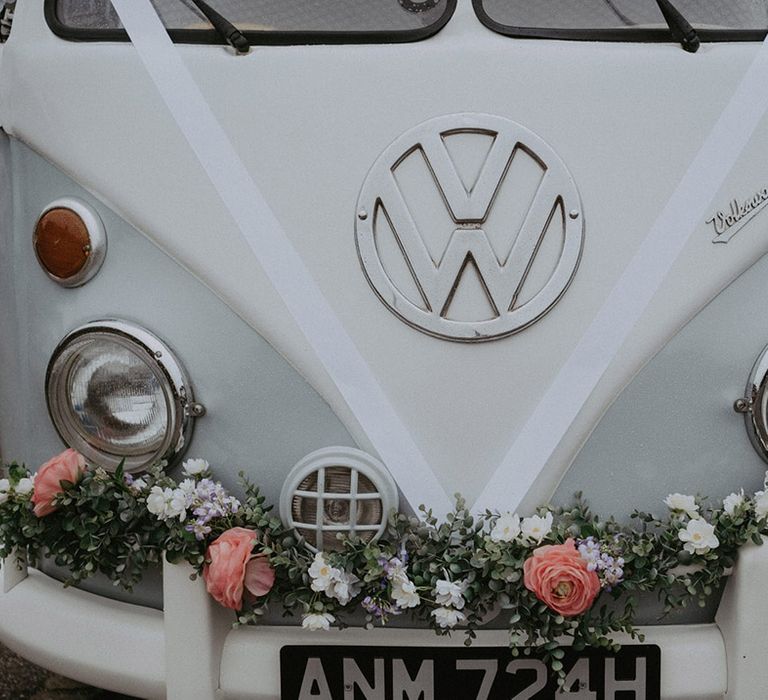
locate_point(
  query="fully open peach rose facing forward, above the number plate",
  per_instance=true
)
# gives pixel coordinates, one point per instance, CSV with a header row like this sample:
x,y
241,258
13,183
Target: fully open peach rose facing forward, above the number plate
x,y
559,577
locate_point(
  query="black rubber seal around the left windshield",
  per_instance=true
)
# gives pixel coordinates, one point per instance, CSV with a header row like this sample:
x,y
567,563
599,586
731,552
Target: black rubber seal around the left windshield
x,y
263,38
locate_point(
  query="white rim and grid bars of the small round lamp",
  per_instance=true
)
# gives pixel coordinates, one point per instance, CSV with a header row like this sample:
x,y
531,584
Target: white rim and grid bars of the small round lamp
x,y
357,461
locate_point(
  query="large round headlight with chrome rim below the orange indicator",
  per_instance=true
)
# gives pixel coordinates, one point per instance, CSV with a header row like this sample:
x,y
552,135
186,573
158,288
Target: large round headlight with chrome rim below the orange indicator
x,y
117,393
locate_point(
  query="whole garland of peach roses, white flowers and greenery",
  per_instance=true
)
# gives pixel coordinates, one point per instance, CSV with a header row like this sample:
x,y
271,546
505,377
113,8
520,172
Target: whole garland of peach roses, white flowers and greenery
x,y
545,572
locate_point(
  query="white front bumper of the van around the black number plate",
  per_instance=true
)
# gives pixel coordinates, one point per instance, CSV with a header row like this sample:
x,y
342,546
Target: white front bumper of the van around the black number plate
x,y
190,651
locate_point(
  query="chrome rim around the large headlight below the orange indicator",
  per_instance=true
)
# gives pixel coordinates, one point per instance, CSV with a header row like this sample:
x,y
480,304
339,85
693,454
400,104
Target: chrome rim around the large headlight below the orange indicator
x,y
160,360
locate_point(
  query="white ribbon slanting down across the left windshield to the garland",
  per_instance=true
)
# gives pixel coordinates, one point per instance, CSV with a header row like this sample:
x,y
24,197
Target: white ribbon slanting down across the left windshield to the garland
x,y
278,258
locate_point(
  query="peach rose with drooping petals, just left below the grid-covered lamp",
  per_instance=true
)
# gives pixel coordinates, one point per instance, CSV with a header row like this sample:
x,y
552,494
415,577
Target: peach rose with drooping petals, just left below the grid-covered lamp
x,y
233,567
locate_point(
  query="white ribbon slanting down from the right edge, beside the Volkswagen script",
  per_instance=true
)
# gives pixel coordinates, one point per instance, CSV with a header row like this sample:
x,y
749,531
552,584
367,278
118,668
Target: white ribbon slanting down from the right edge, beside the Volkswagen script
x,y
578,377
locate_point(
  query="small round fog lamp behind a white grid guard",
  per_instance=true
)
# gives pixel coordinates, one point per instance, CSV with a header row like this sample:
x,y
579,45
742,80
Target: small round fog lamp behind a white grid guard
x,y
337,490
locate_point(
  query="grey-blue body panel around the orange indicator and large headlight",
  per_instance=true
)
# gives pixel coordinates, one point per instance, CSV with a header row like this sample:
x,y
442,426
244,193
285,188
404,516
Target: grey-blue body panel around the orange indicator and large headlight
x,y
262,416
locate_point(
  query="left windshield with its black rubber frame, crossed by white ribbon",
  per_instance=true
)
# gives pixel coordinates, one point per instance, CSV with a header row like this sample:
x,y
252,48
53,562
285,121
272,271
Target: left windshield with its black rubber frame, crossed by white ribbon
x,y
268,21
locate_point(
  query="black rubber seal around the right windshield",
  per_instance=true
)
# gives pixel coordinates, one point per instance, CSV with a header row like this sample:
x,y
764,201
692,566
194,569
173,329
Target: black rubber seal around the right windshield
x,y
627,35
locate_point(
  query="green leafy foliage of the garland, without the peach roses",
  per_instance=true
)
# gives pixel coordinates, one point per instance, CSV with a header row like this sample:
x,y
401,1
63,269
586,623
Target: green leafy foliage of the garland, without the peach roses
x,y
103,524
